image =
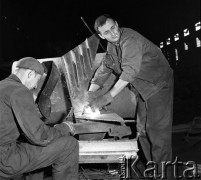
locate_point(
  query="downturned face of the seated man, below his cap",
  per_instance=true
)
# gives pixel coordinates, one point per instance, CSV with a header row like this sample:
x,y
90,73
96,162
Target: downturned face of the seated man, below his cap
x,y
32,81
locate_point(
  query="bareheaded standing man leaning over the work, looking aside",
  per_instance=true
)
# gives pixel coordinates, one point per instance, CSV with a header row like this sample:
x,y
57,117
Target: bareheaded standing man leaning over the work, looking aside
x,y
140,64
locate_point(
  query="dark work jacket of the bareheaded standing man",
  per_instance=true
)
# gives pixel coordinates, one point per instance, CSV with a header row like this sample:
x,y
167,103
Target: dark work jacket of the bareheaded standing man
x,y
137,61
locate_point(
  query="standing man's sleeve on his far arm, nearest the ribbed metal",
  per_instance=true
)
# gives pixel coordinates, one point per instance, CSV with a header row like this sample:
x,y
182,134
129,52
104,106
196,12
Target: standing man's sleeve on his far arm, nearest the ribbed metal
x,y
101,75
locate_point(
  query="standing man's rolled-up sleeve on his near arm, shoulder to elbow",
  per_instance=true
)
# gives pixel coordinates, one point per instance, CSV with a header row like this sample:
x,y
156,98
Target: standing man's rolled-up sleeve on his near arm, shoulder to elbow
x,y
131,59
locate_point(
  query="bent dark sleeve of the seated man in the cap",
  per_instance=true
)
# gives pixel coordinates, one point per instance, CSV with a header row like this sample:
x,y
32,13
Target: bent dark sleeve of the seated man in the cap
x,y
29,121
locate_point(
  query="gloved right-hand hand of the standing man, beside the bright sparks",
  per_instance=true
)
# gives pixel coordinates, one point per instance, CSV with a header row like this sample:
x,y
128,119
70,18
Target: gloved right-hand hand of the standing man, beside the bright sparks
x,y
101,101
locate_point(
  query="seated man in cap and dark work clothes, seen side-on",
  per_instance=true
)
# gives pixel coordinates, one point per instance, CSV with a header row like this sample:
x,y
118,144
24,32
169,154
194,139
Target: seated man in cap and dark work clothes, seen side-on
x,y
44,145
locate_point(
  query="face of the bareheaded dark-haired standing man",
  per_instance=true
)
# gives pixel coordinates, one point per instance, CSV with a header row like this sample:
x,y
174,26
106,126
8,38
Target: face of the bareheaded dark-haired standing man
x,y
110,31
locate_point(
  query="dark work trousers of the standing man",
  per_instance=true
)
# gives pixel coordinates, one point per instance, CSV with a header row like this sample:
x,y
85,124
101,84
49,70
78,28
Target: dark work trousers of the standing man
x,y
155,125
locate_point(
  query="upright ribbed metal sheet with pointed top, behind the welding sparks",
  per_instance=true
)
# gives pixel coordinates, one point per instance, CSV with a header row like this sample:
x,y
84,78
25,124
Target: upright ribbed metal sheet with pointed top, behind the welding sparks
x,y
78,67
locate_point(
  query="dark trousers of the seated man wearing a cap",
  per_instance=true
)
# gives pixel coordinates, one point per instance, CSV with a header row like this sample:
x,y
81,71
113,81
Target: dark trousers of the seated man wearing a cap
x,y
62,154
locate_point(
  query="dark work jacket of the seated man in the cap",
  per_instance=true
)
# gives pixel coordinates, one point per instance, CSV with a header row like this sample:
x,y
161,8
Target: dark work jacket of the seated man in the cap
x,y
18,114
